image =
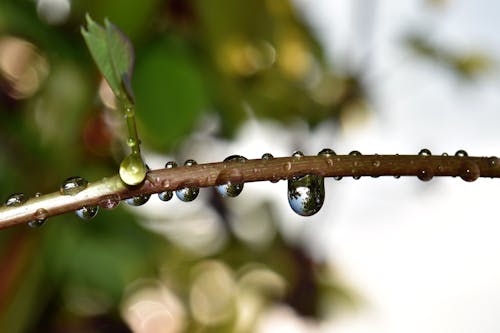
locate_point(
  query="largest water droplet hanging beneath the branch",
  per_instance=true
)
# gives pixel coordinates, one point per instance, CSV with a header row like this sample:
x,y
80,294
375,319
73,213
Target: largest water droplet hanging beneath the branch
x,y
306,194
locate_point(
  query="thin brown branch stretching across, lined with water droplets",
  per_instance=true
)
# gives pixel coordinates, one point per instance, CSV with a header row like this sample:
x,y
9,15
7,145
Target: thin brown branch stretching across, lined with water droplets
x,y
109,191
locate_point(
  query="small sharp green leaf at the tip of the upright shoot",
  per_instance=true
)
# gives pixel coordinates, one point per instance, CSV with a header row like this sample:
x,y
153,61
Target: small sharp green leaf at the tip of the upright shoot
x,y
113,54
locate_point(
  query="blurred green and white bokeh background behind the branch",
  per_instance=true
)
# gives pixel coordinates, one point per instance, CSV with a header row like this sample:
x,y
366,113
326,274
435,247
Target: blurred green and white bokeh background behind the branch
x,y
216,78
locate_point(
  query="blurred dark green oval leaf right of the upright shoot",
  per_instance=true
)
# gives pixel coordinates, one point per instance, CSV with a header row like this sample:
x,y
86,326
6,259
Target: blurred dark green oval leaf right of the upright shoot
x,y
170,93
